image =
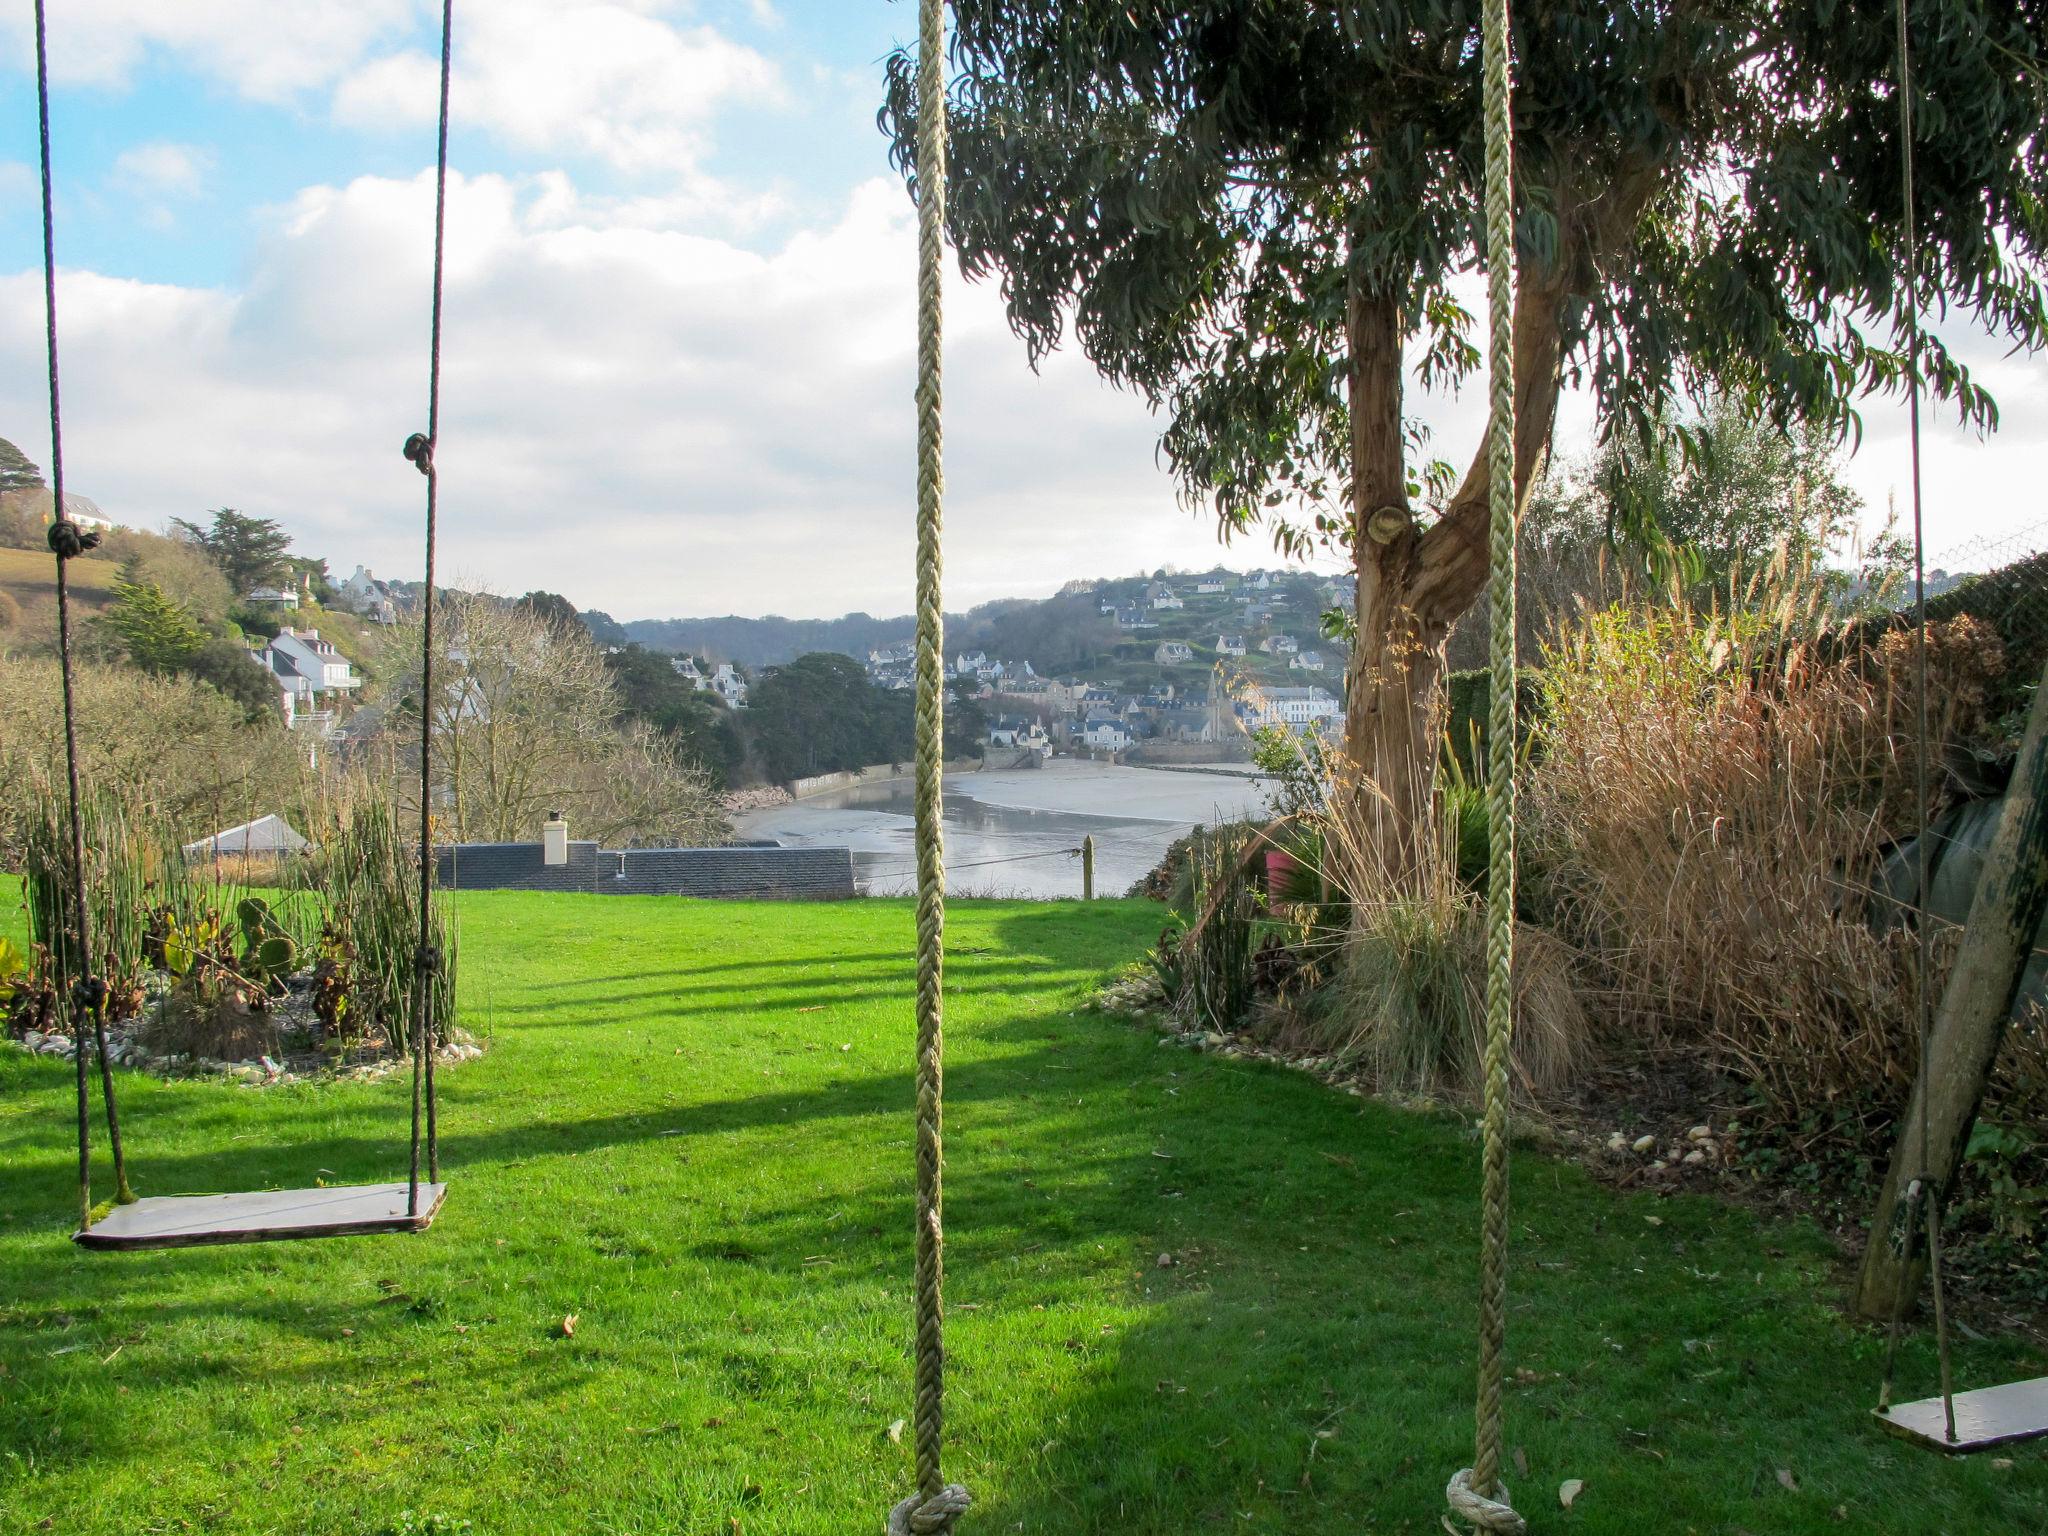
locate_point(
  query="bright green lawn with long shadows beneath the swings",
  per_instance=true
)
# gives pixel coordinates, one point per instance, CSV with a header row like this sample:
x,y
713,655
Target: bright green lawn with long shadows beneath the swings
x,y
693,1132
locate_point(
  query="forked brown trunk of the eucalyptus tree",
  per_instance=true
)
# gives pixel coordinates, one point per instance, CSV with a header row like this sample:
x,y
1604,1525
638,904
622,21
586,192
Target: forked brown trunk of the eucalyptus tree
x,y
1414,583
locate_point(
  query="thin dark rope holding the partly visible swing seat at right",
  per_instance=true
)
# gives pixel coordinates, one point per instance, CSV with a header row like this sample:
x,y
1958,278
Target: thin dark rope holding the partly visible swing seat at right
x,y
1922,1191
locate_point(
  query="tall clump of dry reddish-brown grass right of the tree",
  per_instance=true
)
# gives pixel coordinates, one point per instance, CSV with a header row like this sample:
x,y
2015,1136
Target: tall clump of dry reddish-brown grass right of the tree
x,y
1713,796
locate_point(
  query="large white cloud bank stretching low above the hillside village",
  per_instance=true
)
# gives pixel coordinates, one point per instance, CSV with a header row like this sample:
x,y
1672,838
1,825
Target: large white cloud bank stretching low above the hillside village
x,y
652,421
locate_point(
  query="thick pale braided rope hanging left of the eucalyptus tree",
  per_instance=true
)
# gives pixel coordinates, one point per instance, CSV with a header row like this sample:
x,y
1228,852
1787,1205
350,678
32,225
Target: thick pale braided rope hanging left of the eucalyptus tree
x,y
937,1504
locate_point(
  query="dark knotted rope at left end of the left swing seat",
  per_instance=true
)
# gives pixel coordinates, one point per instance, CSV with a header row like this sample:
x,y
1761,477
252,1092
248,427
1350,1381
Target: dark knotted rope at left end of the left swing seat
x,y
87,994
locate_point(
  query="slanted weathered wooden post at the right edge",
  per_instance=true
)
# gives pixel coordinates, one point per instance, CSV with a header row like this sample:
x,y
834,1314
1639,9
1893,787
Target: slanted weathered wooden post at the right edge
x,y
2012,894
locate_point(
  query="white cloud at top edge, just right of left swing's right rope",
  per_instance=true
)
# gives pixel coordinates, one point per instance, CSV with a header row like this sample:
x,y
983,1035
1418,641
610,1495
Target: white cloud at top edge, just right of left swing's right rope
x,y
597,79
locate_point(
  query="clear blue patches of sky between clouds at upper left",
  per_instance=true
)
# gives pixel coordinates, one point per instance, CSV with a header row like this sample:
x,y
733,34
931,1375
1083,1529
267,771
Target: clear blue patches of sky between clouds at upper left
x,y
810,144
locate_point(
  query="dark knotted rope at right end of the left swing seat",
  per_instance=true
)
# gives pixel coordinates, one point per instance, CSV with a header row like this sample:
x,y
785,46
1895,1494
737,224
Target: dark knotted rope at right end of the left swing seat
x,y
421,452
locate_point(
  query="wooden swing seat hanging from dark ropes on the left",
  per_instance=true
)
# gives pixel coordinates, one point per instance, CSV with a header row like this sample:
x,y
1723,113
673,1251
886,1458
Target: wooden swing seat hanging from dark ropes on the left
x,y
261,1218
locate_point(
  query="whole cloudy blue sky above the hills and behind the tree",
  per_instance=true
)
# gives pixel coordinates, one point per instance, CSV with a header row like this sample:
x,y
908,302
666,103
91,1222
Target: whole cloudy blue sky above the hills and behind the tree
x,y
679,312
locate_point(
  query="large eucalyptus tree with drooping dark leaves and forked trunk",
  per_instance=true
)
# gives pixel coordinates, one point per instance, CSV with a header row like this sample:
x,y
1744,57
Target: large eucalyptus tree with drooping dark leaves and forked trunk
x,y
1263,214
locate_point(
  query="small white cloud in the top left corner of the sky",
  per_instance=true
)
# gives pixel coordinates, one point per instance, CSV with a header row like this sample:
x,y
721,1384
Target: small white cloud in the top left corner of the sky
x,y
265,50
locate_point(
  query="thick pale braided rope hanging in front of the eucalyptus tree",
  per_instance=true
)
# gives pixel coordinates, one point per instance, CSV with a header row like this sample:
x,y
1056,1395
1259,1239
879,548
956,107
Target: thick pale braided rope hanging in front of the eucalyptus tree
x,y
1478,1494
